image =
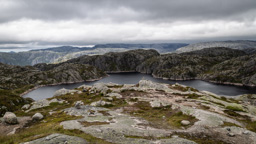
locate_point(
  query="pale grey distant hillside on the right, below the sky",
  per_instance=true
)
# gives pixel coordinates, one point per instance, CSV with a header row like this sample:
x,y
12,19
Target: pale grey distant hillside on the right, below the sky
x,y
247,46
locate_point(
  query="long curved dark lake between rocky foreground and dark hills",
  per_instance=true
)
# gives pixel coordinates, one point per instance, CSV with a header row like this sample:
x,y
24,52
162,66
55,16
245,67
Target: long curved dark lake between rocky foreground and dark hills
x,y
134,77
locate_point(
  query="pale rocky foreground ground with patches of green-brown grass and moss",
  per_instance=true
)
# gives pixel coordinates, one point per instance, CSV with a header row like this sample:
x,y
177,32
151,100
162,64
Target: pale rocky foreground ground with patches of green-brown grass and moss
x,y
146,112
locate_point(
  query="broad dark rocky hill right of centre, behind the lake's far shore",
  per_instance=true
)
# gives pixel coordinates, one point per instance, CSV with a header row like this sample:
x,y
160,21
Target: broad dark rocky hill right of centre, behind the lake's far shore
x,y
189,65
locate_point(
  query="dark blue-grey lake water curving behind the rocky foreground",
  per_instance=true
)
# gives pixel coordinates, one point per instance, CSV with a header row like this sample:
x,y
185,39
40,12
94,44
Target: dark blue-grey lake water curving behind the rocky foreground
x,y
134,78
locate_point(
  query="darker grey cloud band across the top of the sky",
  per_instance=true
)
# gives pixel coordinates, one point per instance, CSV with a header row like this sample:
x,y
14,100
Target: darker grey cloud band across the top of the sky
x,y
128,10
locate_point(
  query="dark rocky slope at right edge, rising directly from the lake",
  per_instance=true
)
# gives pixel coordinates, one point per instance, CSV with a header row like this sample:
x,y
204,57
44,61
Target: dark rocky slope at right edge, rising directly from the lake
x,y
238,70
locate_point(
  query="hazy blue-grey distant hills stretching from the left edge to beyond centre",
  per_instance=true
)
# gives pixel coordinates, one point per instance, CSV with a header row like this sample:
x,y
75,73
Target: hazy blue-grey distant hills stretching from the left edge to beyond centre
x,y
64,53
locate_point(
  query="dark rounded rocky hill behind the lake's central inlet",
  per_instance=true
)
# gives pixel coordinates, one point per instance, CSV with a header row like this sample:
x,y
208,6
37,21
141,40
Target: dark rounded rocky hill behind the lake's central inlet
x,y
117,62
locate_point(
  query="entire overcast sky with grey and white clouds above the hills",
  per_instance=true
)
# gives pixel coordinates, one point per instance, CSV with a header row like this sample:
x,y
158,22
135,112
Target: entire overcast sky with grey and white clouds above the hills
x,y
125,21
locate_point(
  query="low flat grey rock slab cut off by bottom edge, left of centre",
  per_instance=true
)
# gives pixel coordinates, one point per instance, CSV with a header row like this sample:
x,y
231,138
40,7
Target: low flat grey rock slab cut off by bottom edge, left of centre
x,y
58,139
